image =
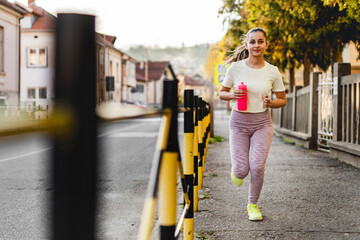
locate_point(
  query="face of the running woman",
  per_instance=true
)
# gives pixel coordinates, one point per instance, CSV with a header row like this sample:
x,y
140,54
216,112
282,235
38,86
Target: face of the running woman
x,y
256,44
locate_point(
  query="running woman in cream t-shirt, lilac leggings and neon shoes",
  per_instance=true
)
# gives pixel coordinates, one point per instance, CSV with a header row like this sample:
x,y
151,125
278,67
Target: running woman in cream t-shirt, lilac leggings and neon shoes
x,y
251,131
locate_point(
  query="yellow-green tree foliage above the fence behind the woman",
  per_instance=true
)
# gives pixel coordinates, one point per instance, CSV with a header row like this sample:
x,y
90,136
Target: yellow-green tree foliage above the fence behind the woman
x,y
299,31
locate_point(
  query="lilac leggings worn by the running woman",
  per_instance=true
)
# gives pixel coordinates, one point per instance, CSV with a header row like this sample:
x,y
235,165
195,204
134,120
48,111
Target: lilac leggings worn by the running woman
x,y
250,139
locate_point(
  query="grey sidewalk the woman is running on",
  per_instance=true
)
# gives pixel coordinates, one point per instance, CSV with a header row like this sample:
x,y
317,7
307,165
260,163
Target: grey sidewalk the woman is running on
x,y
306,195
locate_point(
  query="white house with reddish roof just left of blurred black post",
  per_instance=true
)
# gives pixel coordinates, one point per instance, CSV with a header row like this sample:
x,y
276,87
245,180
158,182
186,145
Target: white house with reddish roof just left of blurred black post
x,y
37,56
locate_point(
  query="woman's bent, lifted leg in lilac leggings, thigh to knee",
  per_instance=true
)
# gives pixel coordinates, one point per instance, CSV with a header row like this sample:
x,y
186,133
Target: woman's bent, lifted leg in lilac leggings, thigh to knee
x,y
239,139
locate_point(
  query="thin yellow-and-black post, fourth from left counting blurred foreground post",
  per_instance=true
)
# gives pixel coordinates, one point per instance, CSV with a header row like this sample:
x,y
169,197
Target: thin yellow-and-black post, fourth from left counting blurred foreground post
x,y
196,155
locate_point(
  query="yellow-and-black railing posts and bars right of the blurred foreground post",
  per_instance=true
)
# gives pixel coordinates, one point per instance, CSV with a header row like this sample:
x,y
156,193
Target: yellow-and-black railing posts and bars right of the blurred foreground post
x,y
163,173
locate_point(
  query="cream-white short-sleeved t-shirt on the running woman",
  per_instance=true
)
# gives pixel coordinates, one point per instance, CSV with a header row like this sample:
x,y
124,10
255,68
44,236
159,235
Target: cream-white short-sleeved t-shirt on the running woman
x,y
259,83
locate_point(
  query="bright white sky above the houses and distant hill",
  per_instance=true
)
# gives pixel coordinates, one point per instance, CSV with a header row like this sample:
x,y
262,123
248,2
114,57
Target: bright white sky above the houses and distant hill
x,y
159,23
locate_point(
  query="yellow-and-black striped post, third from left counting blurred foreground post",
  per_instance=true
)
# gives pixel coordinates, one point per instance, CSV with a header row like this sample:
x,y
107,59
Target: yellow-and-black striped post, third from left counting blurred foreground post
x,y
189,161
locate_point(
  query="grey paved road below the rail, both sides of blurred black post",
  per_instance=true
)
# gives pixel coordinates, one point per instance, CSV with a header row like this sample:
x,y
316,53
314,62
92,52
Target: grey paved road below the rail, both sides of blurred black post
x,y
126,155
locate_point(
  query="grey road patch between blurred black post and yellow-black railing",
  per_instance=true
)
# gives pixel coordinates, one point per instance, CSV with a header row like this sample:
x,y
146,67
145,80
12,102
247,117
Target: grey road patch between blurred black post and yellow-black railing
x,y
127,153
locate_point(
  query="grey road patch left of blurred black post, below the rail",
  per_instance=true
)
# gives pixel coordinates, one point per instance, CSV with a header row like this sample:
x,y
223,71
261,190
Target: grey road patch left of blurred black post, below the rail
x,y
24,186
